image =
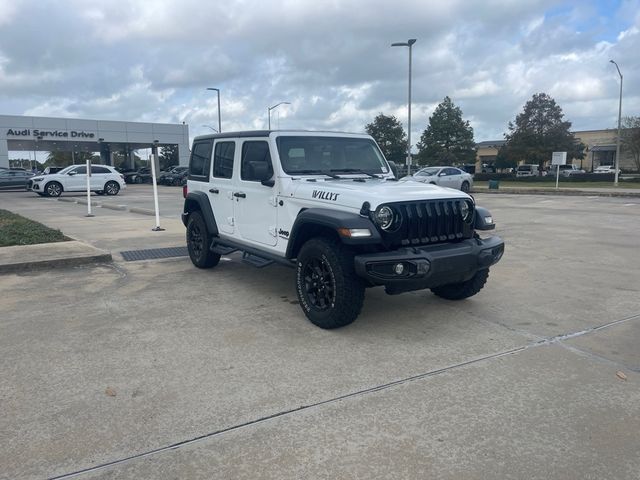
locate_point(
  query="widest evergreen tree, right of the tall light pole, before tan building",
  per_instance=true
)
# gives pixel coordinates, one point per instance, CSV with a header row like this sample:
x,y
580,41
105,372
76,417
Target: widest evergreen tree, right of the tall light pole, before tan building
x,y
538,131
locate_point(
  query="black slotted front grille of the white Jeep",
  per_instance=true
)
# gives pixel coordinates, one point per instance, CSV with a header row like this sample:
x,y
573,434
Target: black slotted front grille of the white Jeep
x,y
432,221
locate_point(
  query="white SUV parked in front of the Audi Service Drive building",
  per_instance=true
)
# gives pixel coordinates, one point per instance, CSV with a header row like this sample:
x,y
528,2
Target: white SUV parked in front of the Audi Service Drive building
x,y
104,180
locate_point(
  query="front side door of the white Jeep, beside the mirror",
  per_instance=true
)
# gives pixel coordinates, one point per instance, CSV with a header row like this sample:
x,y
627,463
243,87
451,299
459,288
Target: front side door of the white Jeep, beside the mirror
x,y
255,203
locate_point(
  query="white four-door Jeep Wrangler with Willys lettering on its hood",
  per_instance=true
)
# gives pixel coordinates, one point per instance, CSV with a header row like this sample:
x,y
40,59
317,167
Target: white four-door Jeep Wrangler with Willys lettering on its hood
x,y
330,206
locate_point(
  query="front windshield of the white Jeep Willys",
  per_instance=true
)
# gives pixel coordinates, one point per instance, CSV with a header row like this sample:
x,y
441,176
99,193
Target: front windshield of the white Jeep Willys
x,y
309,155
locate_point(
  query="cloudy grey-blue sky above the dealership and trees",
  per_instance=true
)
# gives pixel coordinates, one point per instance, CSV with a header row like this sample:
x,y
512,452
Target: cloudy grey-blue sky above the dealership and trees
x,y
152,61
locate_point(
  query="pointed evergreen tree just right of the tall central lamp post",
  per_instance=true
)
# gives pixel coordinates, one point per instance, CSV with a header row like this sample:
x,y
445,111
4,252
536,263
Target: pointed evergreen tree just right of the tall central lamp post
x,y
448,139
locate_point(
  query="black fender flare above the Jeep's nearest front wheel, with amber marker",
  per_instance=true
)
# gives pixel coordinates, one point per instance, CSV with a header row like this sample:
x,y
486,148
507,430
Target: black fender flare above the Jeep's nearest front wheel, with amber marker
x,y
311,221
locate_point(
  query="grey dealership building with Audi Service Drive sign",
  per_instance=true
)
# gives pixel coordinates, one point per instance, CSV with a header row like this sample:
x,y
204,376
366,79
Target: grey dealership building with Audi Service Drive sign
x,y
35,134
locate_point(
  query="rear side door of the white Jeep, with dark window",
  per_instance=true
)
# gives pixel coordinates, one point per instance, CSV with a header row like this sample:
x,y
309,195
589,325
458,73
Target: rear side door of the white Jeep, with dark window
x,y
222,186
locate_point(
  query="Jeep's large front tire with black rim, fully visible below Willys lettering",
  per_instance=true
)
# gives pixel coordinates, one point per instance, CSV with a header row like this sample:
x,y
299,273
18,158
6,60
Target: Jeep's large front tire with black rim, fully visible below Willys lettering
x,y
332,263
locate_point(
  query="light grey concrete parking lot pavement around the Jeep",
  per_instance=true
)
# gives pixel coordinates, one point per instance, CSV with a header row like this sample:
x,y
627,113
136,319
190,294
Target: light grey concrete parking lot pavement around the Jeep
x,y
156,369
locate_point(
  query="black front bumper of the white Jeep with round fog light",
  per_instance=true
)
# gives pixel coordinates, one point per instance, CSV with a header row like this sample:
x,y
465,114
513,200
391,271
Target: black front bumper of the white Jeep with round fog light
x,y
416,268
